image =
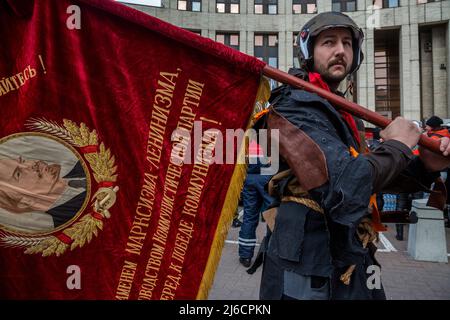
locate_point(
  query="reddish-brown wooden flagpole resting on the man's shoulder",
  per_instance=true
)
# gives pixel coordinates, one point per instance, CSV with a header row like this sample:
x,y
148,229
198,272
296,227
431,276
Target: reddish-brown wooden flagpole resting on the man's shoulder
x,y
337,101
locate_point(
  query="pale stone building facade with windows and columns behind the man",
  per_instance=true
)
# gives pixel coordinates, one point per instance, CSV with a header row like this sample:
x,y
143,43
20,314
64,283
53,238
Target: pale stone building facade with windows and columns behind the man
x,y
406,47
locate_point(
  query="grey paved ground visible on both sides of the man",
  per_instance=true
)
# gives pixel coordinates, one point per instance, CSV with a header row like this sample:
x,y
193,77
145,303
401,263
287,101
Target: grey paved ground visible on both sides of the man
x,y
403,277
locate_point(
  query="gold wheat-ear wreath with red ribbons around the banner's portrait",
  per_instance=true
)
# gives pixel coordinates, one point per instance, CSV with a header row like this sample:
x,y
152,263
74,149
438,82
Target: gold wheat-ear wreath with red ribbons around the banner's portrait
x,y
102,164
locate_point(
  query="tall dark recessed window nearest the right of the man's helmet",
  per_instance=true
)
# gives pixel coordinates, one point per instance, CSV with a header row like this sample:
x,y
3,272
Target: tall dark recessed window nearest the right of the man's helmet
x,y
387,72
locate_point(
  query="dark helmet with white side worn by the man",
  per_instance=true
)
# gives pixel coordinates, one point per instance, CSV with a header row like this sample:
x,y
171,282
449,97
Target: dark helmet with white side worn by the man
x,y
321,22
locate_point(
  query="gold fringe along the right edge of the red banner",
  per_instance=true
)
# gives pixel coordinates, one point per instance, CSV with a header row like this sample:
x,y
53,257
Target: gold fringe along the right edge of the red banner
x,y
230,204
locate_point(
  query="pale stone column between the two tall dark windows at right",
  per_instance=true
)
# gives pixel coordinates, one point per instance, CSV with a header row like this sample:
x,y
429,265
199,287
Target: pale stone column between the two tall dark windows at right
x,y
409,72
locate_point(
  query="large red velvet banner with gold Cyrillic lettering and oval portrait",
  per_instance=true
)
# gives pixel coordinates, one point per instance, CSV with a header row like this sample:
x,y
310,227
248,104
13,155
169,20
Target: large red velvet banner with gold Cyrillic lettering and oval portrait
x,y
99,104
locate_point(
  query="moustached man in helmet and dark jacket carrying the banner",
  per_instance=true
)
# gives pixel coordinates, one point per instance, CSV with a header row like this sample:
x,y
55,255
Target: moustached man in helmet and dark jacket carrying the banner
x,y
322,241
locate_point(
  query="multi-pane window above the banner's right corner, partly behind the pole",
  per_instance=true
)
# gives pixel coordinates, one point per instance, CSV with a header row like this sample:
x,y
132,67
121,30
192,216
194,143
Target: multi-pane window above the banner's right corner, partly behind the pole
x,y
266,49
